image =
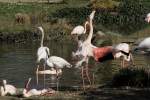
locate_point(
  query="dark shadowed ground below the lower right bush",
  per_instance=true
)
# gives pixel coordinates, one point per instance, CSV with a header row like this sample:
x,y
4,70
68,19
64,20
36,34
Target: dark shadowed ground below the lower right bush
x,y
118,94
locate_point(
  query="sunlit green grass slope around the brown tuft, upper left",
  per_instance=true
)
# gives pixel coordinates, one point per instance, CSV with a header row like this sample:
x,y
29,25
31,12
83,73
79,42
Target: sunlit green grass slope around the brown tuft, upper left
x,y
40,11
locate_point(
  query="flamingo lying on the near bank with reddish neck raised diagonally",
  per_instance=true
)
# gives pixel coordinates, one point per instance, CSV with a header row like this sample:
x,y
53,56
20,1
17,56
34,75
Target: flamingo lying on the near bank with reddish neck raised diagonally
x,y
35,92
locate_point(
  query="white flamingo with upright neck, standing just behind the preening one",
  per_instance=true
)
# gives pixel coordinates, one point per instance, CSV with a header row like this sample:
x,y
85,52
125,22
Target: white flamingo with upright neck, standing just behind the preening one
x,y
43,51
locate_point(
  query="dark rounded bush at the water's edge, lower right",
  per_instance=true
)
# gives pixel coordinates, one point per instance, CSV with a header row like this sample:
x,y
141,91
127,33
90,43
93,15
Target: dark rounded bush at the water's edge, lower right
x,y
131,77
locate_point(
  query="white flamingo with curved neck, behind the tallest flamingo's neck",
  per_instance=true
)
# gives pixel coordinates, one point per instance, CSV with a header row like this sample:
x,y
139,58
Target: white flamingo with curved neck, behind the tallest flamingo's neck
x,y
78,30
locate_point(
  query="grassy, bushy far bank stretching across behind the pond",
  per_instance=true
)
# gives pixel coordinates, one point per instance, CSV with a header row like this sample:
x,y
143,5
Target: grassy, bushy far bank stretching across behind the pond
x,y
17,19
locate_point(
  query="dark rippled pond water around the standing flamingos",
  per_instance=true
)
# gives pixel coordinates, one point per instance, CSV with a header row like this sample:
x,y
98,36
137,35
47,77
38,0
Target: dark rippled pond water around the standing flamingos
x,y
18,63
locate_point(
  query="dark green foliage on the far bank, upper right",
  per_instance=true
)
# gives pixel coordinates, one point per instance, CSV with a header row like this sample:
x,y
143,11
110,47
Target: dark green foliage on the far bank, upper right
x,y
128,18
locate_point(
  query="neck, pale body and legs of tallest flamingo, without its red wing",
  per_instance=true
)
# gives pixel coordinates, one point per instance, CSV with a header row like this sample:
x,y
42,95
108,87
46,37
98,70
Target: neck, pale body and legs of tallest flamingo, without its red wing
x,y
85,50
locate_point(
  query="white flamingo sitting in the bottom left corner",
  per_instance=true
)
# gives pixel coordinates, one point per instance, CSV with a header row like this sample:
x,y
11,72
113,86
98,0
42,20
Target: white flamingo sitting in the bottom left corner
x,y
7,89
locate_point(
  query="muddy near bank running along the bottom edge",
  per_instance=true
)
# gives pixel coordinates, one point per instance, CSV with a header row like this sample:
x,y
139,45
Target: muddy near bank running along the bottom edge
x,y
125,93
